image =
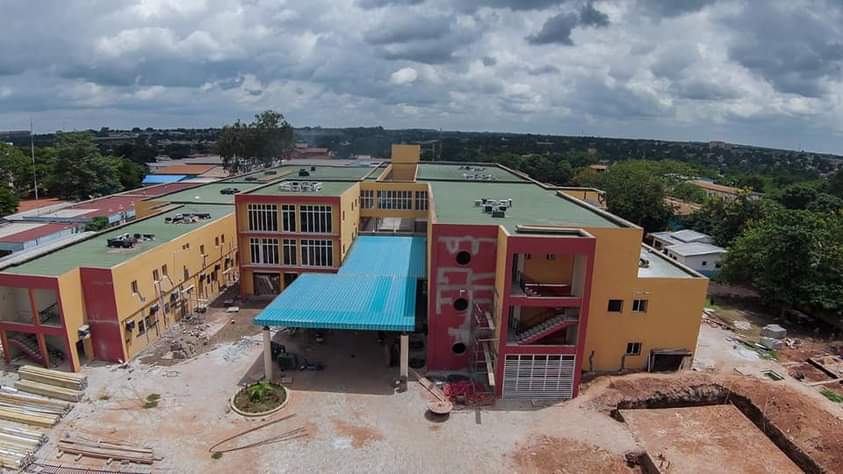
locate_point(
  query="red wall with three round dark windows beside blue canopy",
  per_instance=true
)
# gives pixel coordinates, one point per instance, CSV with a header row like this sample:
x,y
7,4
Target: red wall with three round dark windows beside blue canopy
x,y
451,281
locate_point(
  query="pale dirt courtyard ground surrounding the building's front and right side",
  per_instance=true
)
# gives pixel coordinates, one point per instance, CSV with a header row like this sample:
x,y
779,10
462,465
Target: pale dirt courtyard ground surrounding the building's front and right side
x,y
353,419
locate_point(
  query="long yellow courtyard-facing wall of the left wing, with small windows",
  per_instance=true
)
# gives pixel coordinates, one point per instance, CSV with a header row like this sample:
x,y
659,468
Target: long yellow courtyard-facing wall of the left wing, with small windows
x,y
176,258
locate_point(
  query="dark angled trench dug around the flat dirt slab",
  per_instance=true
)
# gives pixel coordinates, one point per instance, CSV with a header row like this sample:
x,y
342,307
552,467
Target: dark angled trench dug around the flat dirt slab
x,y
707,394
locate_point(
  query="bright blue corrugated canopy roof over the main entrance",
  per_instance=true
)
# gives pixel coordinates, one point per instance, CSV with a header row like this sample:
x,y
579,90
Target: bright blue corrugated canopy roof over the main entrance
x,y
374,289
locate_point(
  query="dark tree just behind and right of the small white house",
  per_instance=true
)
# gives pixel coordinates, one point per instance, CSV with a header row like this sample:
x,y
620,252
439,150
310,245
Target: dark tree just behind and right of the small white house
x,y
725,220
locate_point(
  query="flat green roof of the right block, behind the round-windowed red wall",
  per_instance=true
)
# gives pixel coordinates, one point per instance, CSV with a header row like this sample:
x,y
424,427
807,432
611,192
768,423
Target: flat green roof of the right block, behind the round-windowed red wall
x,y
531,205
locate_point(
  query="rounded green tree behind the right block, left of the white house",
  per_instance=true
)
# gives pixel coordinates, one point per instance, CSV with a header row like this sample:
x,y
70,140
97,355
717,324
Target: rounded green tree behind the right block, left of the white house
x,y
635,193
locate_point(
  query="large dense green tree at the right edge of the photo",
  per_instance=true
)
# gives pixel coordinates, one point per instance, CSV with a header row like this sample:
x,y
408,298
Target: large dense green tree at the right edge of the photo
x,y
792,257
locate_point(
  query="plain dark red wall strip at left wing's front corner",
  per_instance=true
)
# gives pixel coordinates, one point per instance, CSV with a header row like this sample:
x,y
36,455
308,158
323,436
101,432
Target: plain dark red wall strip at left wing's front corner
x,y
98,290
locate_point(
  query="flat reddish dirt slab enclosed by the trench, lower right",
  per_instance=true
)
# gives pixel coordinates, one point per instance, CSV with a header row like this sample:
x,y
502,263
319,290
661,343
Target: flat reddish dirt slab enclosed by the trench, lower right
x,y
687,439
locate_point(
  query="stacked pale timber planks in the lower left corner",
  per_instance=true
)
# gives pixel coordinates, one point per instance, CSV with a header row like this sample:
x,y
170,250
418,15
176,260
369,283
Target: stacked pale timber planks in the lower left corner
x,y
37,402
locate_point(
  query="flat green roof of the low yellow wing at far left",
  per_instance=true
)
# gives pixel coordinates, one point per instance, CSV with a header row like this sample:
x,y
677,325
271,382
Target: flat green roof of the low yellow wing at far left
x,y
95,253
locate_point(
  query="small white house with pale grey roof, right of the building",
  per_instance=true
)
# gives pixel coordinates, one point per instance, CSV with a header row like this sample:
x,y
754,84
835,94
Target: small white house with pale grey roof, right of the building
x,y
690,248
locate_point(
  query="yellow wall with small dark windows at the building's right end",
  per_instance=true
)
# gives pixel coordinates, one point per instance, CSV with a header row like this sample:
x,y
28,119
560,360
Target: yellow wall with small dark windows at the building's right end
x,y
674,305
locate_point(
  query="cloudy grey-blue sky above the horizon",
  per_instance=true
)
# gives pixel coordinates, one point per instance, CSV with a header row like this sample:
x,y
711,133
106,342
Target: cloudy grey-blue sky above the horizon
x,y
753,71
